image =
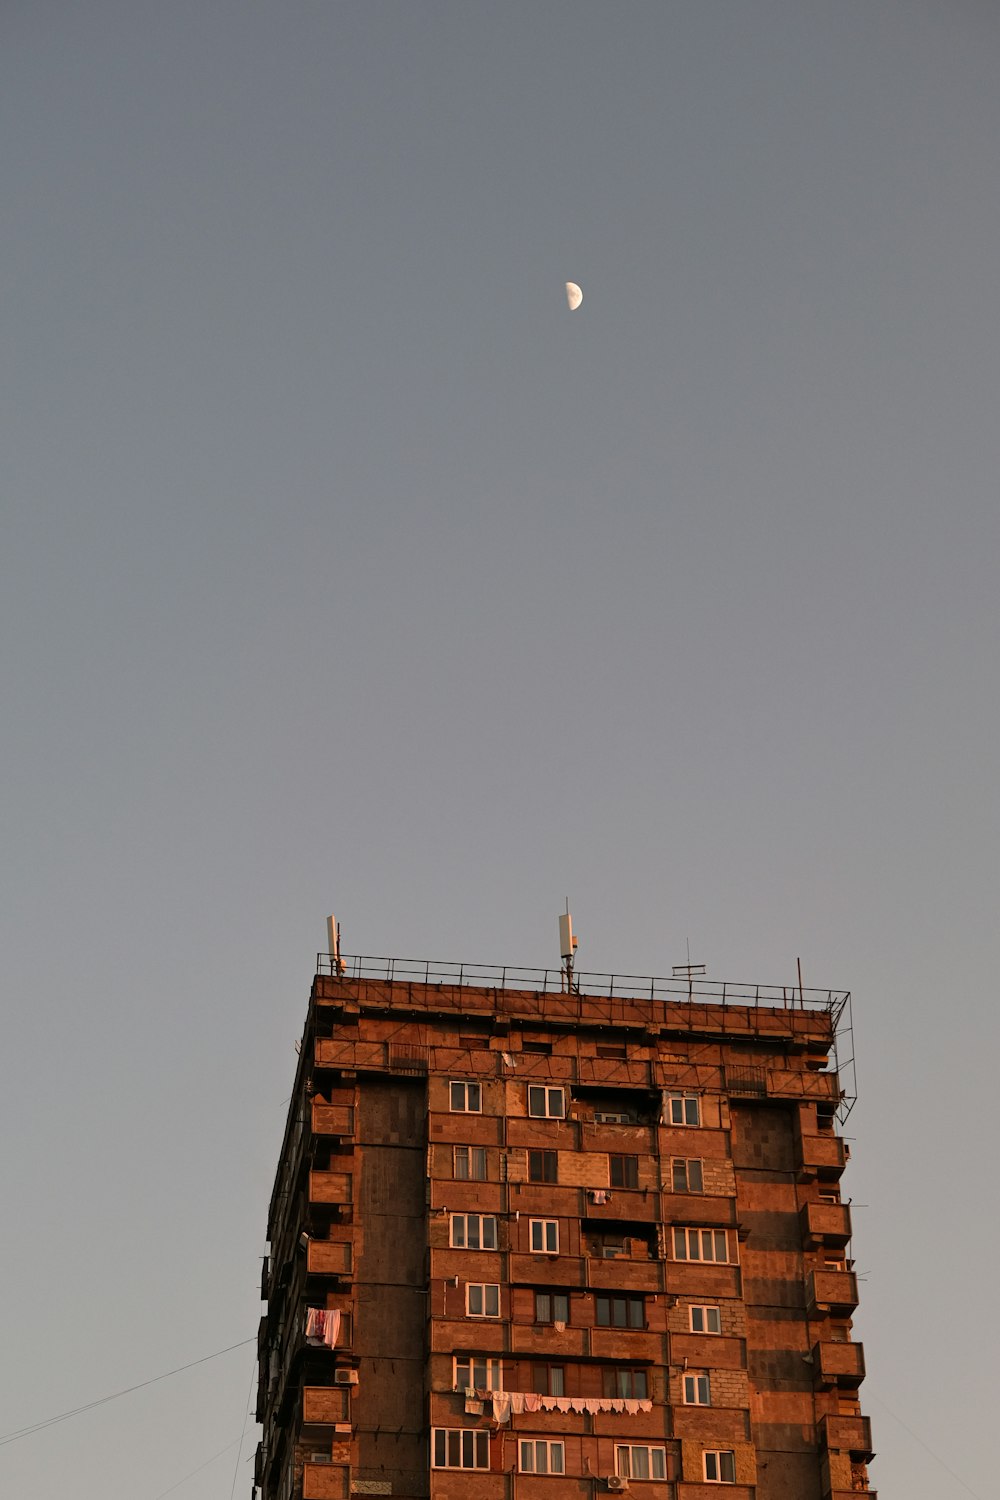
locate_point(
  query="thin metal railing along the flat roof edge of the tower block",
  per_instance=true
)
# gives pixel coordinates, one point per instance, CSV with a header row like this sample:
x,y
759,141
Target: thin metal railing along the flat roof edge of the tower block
x,y
611,986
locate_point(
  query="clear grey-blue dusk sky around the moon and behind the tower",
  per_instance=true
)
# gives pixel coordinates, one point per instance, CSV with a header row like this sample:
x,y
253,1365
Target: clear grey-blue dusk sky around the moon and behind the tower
x,y
343,568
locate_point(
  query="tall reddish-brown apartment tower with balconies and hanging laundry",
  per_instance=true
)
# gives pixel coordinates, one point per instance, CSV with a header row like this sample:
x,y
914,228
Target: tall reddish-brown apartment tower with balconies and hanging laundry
x,y
536,1243
